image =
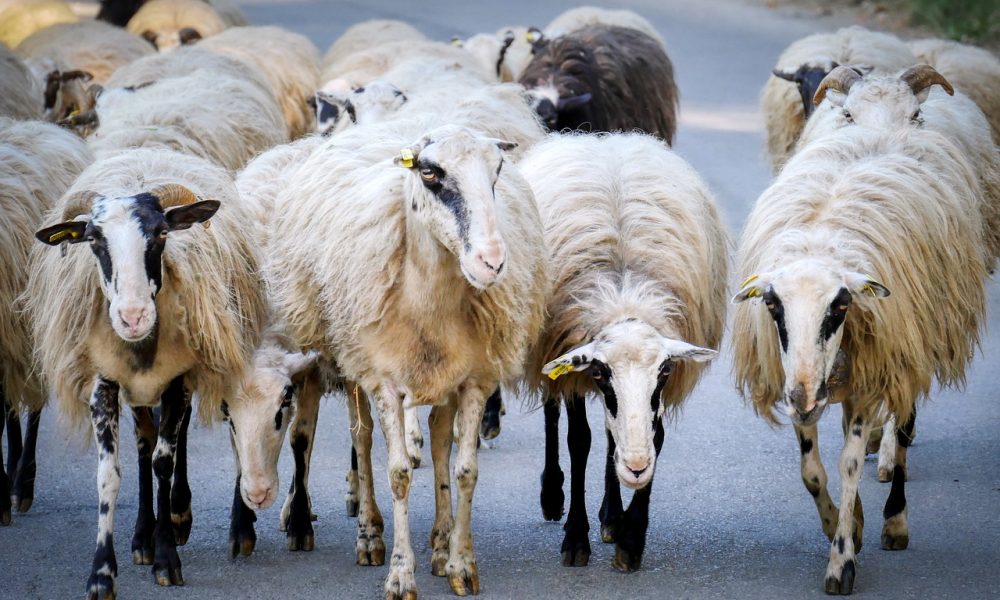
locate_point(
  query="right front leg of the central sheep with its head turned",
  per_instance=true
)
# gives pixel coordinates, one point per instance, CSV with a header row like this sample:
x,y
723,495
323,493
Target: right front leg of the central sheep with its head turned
x,y
463,573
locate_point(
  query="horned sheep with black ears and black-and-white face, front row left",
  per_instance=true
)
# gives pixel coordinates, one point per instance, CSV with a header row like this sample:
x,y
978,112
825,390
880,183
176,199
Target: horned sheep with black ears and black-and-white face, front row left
x,y
158,313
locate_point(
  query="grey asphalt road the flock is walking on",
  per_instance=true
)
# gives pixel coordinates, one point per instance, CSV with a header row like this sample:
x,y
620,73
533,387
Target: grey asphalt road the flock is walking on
x,y
730,517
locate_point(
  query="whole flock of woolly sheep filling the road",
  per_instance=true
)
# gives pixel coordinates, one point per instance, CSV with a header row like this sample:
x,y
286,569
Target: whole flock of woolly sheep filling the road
x,y
394,223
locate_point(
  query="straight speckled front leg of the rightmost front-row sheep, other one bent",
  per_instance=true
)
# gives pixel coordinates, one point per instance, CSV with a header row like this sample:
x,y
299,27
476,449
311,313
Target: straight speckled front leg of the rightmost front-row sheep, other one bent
x,y
841,569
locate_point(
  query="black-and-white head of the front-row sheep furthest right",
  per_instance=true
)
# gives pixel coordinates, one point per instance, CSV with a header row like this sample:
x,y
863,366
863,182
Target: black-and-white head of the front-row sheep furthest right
x,y
808,301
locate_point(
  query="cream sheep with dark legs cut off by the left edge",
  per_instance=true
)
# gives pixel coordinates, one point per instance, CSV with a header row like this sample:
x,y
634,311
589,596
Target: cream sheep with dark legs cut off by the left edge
x,y
38,162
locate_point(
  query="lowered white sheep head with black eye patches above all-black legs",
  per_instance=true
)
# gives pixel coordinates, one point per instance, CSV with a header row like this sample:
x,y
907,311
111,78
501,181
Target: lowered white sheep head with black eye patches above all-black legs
x,y
630,363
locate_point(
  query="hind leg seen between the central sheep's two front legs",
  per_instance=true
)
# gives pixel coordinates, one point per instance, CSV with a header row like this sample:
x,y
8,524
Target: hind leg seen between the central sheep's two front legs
x,y
442,436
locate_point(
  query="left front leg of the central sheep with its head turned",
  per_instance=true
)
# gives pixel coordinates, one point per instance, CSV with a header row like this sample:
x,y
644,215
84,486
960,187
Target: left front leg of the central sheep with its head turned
x,y
401,582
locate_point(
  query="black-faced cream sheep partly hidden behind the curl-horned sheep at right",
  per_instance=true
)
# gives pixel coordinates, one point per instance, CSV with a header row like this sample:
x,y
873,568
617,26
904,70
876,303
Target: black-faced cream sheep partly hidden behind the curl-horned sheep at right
x,y
805,63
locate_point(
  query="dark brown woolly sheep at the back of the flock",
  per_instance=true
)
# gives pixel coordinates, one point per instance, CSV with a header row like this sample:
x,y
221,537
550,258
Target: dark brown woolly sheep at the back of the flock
x,y
603,78
